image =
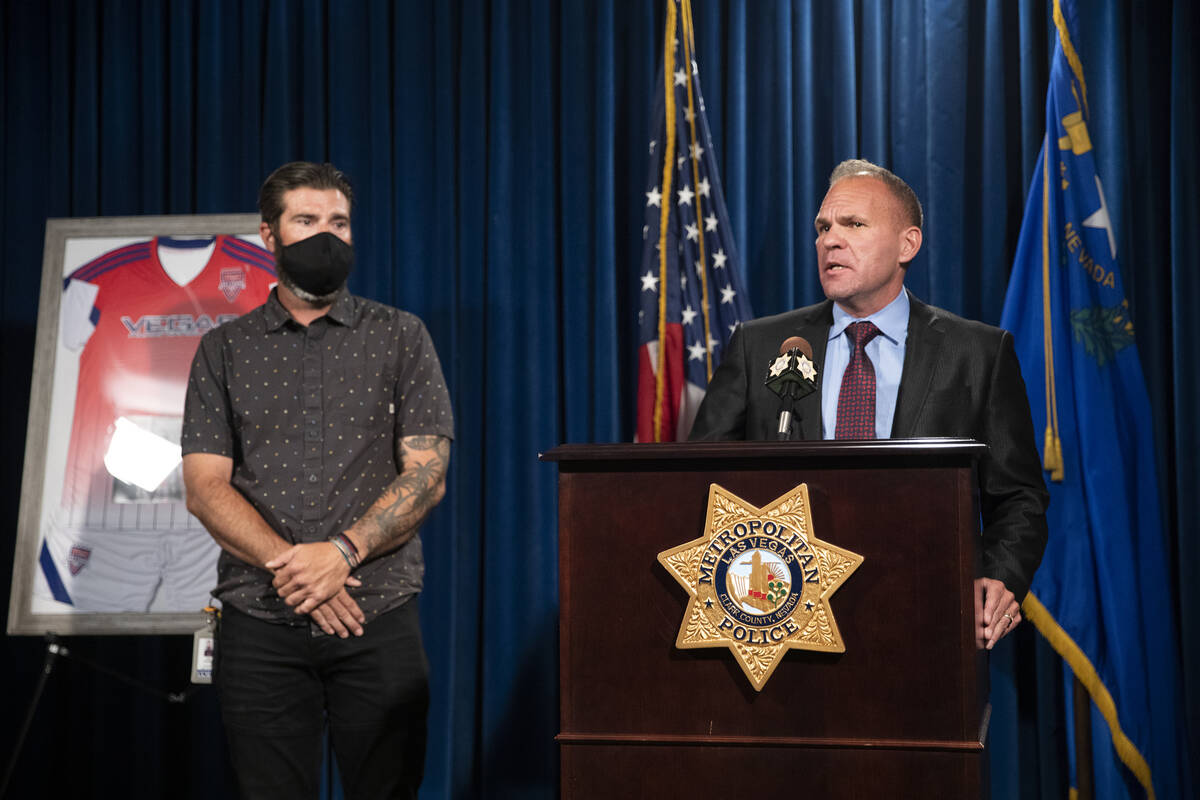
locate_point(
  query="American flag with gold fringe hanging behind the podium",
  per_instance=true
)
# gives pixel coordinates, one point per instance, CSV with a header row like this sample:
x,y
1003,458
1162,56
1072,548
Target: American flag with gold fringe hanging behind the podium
x,y
692,293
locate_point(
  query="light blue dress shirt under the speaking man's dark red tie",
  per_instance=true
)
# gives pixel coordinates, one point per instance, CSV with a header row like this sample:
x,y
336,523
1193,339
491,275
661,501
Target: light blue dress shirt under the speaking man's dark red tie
x,y
886,353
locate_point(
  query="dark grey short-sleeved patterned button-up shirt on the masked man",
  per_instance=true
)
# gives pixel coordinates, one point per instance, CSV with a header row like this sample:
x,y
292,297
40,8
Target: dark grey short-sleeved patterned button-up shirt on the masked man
x,y
313,419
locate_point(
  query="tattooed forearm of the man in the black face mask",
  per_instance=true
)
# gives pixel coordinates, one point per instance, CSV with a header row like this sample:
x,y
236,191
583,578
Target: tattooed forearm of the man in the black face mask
x,y
410,500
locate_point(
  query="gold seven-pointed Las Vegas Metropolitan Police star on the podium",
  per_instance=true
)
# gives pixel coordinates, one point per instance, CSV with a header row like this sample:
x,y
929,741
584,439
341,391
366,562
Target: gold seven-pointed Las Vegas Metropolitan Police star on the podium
x,y
760,582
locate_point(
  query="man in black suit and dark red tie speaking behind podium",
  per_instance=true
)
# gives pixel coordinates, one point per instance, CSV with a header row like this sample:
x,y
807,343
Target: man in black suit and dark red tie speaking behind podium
x,y
901,369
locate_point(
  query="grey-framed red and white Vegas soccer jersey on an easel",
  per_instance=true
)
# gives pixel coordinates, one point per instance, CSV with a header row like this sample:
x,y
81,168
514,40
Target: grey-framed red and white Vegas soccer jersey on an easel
x,y
105,540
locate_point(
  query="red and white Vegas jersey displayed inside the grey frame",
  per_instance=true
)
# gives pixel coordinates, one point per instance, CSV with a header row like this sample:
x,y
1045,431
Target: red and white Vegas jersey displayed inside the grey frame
x,y
140,330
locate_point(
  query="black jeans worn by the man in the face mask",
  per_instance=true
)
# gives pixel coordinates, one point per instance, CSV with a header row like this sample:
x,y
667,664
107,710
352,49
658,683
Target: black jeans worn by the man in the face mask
x,y
279,684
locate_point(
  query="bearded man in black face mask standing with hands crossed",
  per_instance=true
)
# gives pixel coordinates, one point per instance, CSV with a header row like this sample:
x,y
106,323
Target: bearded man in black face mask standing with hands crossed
x,y
316,442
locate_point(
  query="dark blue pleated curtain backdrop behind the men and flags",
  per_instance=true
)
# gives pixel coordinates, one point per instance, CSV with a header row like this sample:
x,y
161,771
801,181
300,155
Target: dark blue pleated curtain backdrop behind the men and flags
x,y
499,154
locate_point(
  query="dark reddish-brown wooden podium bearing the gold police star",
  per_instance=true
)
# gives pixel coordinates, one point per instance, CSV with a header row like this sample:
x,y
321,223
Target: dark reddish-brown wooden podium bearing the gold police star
x,y
901,714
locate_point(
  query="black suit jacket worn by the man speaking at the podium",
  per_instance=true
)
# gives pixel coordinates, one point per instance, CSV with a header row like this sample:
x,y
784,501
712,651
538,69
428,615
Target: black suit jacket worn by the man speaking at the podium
x,y
961,380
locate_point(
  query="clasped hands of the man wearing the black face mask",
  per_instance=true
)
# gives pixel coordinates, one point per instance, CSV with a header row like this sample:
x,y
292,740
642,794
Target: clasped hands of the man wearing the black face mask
x,y
313,579
